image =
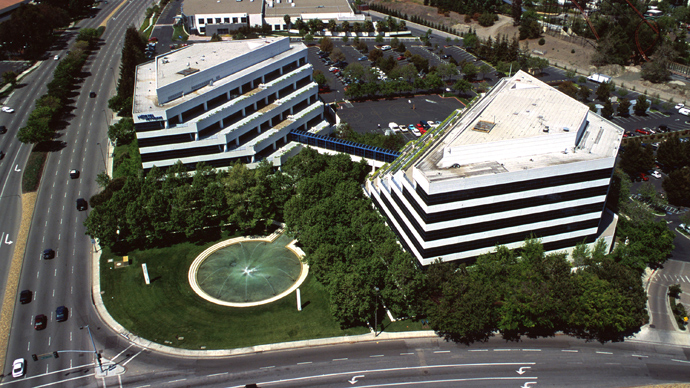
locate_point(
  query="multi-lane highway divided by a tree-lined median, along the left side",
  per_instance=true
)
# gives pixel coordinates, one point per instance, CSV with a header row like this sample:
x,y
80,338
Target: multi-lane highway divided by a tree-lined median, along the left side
x,y
65,279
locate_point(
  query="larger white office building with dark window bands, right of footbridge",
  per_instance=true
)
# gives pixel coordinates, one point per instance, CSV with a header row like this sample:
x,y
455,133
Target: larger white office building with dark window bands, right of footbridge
x,y
524,160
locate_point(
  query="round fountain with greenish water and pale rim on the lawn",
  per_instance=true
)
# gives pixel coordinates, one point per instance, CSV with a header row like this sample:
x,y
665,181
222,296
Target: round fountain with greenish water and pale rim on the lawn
x,y
245,272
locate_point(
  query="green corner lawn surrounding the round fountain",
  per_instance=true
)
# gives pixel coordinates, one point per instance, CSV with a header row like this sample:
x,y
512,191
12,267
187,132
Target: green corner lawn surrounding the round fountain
x,y
168,308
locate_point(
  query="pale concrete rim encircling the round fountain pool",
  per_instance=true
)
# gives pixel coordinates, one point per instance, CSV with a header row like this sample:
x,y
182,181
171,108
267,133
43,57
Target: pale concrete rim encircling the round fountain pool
x,y
194,268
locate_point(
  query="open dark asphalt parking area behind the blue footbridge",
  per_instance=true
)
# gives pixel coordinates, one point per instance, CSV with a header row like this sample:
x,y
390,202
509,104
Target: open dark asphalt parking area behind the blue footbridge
x,y
365,117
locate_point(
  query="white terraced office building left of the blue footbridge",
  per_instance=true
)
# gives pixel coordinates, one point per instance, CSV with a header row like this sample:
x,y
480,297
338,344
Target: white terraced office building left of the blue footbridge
x,y
225,102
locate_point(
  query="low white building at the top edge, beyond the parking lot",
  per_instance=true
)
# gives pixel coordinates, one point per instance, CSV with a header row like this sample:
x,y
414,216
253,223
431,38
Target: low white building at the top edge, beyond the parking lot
x,y
207,17
